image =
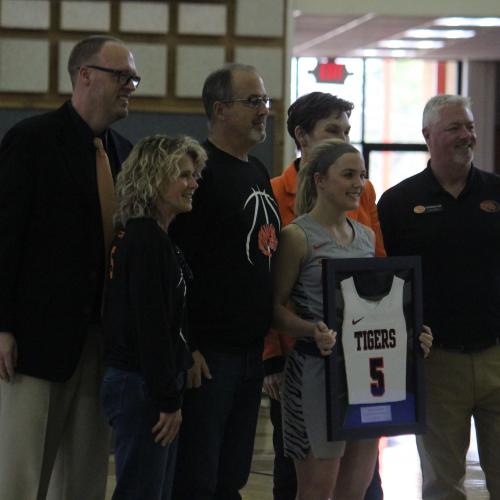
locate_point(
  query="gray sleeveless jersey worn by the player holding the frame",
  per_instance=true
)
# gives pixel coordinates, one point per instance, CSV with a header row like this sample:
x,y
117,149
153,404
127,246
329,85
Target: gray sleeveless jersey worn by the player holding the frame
x,y
307,294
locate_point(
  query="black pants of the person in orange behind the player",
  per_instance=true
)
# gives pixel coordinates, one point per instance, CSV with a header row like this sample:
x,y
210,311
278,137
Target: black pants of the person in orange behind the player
x,y
285,481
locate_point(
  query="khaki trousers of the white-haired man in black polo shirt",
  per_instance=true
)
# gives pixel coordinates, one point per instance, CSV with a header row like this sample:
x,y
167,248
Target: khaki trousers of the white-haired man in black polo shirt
x,y
460,386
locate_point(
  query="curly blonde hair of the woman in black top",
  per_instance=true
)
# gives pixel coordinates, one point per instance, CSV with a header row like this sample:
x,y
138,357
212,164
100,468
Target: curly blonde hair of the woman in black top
x,y
152,161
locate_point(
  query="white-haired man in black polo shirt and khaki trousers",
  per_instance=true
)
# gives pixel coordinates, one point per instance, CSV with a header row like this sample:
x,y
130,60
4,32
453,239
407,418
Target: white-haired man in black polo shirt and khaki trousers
x,y
449,214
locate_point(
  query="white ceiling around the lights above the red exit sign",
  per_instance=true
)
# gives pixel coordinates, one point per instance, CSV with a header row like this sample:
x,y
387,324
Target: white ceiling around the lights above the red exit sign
x,y
348,35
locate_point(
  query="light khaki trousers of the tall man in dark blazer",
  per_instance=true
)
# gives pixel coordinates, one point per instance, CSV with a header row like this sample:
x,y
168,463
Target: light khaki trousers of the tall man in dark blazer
x,y
54,440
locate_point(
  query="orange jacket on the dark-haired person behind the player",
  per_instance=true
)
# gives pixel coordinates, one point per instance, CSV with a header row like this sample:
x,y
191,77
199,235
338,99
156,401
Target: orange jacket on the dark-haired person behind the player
x,y
277,345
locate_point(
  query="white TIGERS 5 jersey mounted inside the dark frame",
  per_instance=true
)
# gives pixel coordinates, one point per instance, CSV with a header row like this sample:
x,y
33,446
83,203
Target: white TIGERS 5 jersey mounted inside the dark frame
x,y
374,337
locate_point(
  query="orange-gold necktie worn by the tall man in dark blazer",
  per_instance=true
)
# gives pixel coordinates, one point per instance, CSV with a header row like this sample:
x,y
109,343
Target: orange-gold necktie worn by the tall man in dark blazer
x,y
107,197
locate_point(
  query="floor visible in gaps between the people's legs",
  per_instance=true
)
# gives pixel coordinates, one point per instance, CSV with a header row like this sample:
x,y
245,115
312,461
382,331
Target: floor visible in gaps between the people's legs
x,y
400,468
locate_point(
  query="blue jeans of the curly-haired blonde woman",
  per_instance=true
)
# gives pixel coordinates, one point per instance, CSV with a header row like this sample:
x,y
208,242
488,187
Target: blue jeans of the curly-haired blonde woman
x,y
144,469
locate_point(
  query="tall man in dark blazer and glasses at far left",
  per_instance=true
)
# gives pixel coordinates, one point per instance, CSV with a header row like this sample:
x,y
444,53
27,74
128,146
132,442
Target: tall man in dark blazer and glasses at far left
x,y
52,264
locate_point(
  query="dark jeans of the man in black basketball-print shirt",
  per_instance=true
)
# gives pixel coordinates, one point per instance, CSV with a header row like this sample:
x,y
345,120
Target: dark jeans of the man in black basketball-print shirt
x,y
218,428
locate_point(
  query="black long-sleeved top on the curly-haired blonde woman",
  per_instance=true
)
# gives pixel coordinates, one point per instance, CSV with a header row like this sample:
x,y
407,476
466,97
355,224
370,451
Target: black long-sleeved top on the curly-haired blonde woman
x,y
144,314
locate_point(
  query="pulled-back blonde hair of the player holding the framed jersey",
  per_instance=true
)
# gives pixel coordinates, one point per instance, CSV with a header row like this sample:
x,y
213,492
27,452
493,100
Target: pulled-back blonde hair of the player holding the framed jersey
x,y
322,156
